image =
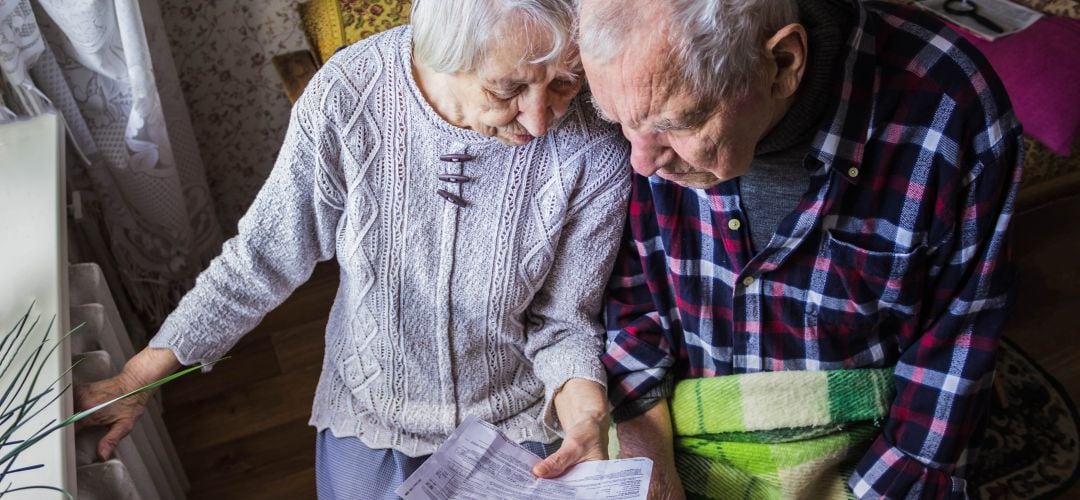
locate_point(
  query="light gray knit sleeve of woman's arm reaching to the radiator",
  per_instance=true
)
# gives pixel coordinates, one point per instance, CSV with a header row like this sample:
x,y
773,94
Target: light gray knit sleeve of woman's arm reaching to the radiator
x,y
290,227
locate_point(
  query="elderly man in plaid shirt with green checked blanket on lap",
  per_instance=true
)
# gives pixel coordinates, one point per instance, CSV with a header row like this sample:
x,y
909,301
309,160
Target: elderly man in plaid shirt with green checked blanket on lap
x,y
814,280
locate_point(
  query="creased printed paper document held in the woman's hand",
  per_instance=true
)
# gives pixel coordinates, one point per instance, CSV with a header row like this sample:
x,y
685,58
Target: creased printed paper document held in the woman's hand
x,y
480,463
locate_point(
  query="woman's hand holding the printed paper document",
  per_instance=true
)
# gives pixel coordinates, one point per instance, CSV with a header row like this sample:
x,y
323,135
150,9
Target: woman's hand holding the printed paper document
x,y
583,411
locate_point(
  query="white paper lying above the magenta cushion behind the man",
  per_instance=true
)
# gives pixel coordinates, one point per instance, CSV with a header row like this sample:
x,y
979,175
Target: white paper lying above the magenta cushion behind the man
x,y
984,18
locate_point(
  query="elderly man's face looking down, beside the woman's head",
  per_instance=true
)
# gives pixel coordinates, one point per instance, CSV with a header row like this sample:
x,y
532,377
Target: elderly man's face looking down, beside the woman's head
x,y
672,136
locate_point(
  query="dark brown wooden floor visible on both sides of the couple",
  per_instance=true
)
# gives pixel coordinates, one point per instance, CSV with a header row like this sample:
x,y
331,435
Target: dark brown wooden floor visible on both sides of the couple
x,y
241,430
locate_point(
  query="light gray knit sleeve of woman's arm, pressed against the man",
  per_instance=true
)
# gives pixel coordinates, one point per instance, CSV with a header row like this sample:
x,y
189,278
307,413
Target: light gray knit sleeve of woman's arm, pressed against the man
x,y
565,334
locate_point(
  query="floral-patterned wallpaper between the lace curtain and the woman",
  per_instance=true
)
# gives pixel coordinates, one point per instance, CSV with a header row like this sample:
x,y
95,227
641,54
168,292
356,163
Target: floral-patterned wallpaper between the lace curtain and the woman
x,y
239,111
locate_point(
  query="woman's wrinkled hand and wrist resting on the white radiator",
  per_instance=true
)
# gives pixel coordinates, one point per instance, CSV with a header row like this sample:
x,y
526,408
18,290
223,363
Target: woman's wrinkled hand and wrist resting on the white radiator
x,y
120,417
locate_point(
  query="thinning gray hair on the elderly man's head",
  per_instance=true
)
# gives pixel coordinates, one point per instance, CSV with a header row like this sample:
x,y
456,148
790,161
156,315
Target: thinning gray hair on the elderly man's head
x,y
717,45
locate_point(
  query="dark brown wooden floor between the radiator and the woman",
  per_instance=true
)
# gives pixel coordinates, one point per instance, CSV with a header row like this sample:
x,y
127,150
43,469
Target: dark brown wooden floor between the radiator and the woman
x,y
242,429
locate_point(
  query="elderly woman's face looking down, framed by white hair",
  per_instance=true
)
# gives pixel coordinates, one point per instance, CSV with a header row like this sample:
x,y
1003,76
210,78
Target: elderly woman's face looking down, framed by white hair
x,y
511,100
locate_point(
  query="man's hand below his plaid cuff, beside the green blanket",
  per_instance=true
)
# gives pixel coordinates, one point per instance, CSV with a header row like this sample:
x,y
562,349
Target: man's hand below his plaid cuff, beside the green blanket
x,y
651,436
